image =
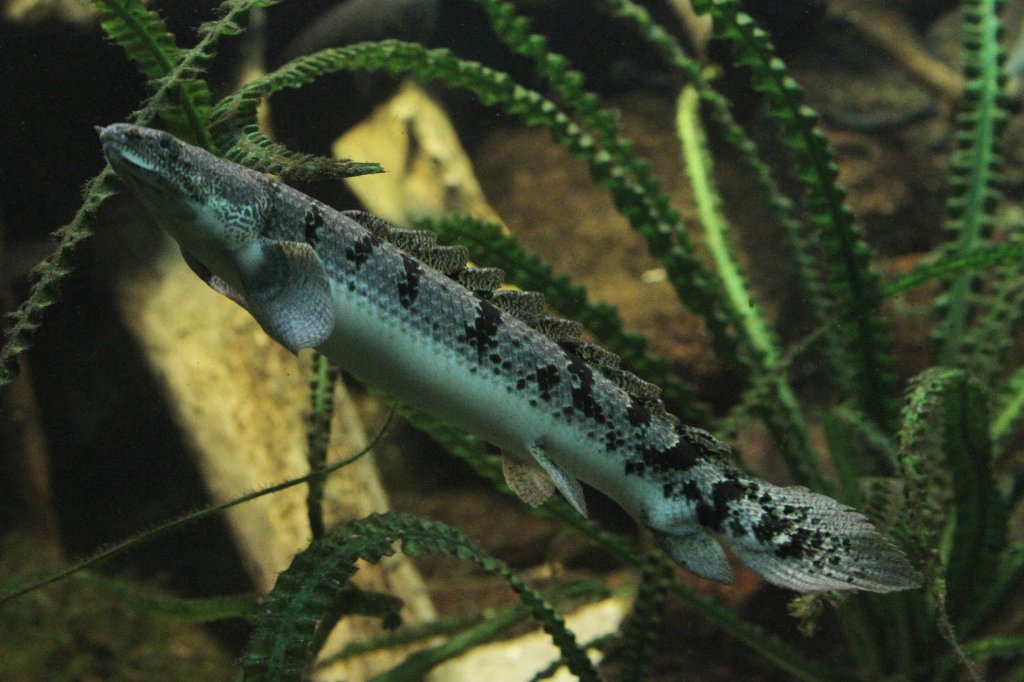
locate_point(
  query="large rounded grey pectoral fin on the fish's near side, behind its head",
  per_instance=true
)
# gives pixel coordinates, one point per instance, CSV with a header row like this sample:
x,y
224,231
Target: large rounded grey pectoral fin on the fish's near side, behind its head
x,y
288,292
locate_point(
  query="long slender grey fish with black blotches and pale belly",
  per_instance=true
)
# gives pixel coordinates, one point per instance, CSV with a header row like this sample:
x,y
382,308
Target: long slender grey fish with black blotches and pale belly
x,y
400,313
